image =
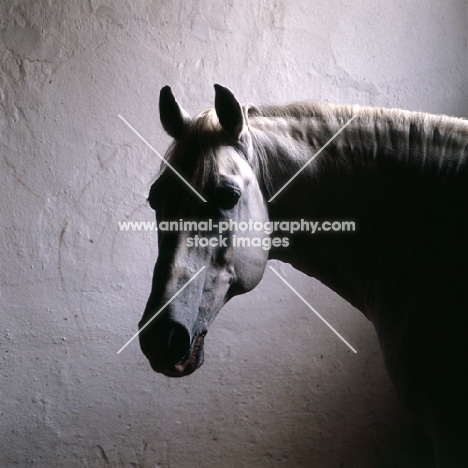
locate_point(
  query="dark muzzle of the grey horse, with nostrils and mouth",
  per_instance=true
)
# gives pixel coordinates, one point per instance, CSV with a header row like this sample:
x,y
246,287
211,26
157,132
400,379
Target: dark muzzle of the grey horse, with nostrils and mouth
x,y
171,351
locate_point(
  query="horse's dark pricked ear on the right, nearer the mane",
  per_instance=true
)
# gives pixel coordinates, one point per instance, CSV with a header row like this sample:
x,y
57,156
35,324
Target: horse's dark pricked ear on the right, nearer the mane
x,y
229,112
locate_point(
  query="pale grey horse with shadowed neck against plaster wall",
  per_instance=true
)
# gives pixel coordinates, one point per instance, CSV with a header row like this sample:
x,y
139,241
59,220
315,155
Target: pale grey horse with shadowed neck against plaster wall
x,y
400,176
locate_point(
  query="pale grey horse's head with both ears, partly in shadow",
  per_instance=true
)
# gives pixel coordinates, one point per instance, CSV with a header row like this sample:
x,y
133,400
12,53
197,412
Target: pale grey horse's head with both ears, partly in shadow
x,y
208,183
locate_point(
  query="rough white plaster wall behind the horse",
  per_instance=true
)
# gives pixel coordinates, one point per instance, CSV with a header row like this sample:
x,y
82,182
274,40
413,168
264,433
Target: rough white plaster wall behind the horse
x,y
277,388
